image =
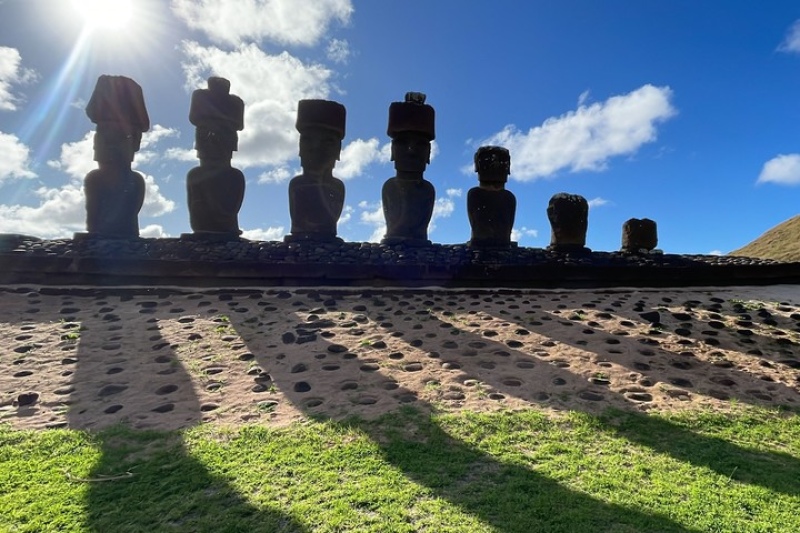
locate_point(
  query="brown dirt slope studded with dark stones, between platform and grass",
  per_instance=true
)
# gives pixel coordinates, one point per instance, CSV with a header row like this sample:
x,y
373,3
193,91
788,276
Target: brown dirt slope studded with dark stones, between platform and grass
x,y
170,359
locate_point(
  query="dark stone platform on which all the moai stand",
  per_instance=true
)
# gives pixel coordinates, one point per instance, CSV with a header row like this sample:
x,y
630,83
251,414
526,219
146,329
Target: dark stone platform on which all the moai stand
x,y
244,263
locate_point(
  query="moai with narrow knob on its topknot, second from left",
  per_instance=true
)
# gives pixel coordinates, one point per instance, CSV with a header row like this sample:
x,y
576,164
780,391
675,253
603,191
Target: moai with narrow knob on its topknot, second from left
x,y
215,189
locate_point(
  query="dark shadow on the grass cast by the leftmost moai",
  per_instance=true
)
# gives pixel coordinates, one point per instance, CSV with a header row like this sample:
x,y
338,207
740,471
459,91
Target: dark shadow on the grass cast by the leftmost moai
x,y
169,490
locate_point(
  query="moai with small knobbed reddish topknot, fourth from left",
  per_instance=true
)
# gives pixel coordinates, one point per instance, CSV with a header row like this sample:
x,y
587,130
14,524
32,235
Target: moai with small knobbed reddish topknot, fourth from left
x,y
407,198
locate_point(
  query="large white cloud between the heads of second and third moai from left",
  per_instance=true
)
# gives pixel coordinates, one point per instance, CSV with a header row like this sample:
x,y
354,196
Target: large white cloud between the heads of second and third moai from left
x,y
270,86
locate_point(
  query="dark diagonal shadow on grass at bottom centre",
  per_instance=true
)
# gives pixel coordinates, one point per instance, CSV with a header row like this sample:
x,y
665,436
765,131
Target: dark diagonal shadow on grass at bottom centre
x,y
509,497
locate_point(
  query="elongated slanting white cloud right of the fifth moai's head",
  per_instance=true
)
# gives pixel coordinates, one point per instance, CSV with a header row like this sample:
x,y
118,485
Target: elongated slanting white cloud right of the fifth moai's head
x,y
585,139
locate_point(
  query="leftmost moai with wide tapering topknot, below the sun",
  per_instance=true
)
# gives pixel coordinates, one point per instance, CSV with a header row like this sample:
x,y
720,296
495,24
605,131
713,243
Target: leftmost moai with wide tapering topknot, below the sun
x,y
114,192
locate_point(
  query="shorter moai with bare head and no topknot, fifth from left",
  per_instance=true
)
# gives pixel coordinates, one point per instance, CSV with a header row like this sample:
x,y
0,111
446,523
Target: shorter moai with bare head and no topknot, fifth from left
x,y
490,207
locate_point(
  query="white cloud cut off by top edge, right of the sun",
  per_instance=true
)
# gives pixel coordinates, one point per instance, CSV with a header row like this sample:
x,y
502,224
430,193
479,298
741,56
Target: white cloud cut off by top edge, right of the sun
x,y
291,22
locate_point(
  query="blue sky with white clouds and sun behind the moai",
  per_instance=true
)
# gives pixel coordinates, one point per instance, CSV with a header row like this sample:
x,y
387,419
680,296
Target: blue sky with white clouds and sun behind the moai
x,y
684,112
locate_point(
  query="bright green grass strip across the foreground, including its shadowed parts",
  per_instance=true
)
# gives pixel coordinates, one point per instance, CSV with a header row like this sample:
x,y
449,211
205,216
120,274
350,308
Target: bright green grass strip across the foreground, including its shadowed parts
x,y
506,472
